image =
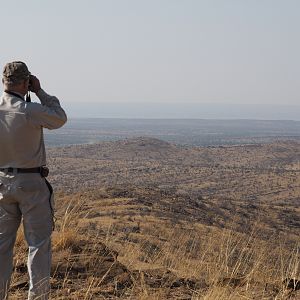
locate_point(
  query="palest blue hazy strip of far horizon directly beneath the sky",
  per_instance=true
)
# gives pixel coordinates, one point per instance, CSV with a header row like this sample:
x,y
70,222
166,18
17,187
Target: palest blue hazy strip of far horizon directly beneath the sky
x,y
181,110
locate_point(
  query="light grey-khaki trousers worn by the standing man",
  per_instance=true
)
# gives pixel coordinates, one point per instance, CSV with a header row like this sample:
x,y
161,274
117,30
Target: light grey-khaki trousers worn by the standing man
x,y
26,196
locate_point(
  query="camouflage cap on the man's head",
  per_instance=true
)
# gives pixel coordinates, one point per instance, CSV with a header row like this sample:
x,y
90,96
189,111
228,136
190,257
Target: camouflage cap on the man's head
x,y
15,71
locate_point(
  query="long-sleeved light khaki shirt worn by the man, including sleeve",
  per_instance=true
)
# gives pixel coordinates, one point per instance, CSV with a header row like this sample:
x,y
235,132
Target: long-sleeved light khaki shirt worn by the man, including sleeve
x,y
21,129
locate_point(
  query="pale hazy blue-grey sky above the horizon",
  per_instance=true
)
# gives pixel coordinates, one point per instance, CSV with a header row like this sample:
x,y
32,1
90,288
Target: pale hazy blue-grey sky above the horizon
x,y
199,51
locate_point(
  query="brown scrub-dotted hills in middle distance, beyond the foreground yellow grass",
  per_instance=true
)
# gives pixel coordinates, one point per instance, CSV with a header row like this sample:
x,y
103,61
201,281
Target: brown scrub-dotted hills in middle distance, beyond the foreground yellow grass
x,y
215,186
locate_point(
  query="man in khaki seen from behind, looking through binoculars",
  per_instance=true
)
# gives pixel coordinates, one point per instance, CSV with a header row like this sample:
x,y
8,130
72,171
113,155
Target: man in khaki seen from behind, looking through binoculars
x,y
24,192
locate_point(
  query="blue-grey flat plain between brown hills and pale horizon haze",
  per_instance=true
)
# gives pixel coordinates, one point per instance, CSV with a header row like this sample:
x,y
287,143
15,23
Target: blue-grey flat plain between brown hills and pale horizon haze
x,y
182,131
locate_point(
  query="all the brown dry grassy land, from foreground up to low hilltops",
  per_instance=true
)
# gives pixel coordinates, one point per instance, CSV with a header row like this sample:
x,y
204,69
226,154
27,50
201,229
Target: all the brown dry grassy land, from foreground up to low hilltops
x,y
144,219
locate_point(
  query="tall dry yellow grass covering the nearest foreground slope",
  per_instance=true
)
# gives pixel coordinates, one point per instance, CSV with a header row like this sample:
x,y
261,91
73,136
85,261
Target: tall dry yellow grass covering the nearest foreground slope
x,y
233,265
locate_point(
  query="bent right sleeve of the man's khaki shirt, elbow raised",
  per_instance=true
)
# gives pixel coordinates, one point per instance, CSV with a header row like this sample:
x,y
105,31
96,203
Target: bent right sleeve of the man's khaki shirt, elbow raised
x,y
48,114
